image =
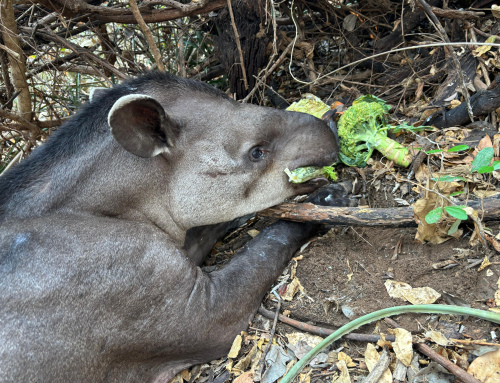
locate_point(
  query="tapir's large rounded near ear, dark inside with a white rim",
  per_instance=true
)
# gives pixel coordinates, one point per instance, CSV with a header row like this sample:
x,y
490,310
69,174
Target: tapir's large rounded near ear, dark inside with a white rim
x,y
139,124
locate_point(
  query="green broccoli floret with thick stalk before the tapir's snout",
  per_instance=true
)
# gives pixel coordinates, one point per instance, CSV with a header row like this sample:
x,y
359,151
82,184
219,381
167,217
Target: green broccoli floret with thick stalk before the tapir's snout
x,y
363,128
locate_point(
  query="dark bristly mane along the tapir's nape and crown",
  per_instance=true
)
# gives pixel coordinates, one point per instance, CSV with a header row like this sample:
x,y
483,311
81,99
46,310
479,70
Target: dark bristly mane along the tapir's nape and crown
x,y
87,126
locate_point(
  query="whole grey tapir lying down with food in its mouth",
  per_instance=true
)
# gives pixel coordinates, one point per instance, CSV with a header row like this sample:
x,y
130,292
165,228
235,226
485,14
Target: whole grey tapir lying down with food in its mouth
x,y
103,229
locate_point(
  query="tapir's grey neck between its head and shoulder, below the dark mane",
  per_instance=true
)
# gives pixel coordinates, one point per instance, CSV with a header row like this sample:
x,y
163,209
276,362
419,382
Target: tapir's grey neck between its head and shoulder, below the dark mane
x,y
104,181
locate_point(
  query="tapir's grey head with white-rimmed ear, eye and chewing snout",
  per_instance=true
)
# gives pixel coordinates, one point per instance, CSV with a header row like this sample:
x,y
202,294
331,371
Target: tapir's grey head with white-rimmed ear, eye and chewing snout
x,y
217,159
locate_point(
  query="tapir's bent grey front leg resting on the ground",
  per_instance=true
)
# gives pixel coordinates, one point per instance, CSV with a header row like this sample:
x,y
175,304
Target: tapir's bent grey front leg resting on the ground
x,y
221,303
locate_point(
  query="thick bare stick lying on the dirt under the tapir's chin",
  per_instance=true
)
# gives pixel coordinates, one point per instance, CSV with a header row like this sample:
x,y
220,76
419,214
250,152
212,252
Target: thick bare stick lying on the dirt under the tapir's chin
x,y
489,208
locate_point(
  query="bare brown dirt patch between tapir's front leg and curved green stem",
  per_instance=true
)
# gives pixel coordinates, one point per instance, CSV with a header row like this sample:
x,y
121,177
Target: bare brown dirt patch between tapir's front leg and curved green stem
x,y
345,270
